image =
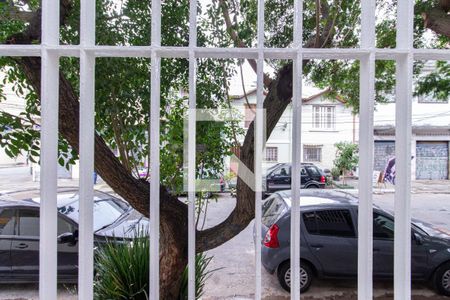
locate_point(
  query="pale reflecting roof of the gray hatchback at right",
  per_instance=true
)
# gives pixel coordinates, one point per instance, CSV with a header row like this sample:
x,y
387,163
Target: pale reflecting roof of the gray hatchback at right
x,y
321,198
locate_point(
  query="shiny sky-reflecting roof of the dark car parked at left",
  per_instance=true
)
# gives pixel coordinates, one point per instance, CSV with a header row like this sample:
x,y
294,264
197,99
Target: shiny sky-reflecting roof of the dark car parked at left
x,y
31,197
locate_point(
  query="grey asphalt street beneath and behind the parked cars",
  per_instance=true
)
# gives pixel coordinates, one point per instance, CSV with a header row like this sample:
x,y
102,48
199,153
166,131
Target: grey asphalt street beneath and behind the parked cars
x,y
233,263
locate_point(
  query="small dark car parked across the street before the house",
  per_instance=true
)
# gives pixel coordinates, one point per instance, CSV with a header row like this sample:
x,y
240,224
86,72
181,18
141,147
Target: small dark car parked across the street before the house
x,y
279,177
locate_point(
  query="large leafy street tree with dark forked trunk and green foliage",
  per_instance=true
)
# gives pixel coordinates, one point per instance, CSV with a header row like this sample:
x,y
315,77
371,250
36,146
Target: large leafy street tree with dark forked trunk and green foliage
x,y
123,92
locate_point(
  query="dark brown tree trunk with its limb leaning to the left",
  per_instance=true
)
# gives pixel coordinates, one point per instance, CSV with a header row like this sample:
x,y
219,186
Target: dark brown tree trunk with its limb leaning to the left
x,y
173,213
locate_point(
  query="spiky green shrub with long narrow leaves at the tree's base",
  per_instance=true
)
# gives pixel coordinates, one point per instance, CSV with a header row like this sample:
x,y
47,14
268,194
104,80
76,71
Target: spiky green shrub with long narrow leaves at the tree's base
x,y
122,271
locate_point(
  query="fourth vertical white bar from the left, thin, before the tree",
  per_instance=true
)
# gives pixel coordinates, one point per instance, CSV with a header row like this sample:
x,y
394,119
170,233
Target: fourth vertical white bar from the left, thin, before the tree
x,y
191,148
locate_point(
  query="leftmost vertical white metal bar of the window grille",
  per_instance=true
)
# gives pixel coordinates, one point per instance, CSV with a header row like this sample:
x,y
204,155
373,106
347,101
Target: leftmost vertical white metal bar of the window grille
x,y
49,151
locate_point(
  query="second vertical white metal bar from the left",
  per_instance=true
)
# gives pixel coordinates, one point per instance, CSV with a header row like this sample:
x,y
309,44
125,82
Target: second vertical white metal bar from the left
x,y
86,136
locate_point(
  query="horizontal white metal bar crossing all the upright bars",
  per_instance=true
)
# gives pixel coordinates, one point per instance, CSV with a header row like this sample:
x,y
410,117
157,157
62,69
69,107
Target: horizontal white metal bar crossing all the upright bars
x,y
245,53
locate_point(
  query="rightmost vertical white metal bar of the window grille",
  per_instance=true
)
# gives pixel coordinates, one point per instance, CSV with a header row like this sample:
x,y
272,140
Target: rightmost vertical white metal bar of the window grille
x,y
404,73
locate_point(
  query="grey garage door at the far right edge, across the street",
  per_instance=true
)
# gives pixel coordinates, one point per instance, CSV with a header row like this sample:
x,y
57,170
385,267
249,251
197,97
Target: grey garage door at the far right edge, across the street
x,y
432,160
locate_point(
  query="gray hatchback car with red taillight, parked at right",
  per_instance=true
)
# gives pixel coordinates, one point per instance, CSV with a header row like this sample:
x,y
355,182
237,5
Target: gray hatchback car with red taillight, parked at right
x,y
329,244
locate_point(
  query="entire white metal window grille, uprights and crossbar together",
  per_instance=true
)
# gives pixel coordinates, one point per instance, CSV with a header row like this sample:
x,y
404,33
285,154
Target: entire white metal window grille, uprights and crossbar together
x,y
50,51
